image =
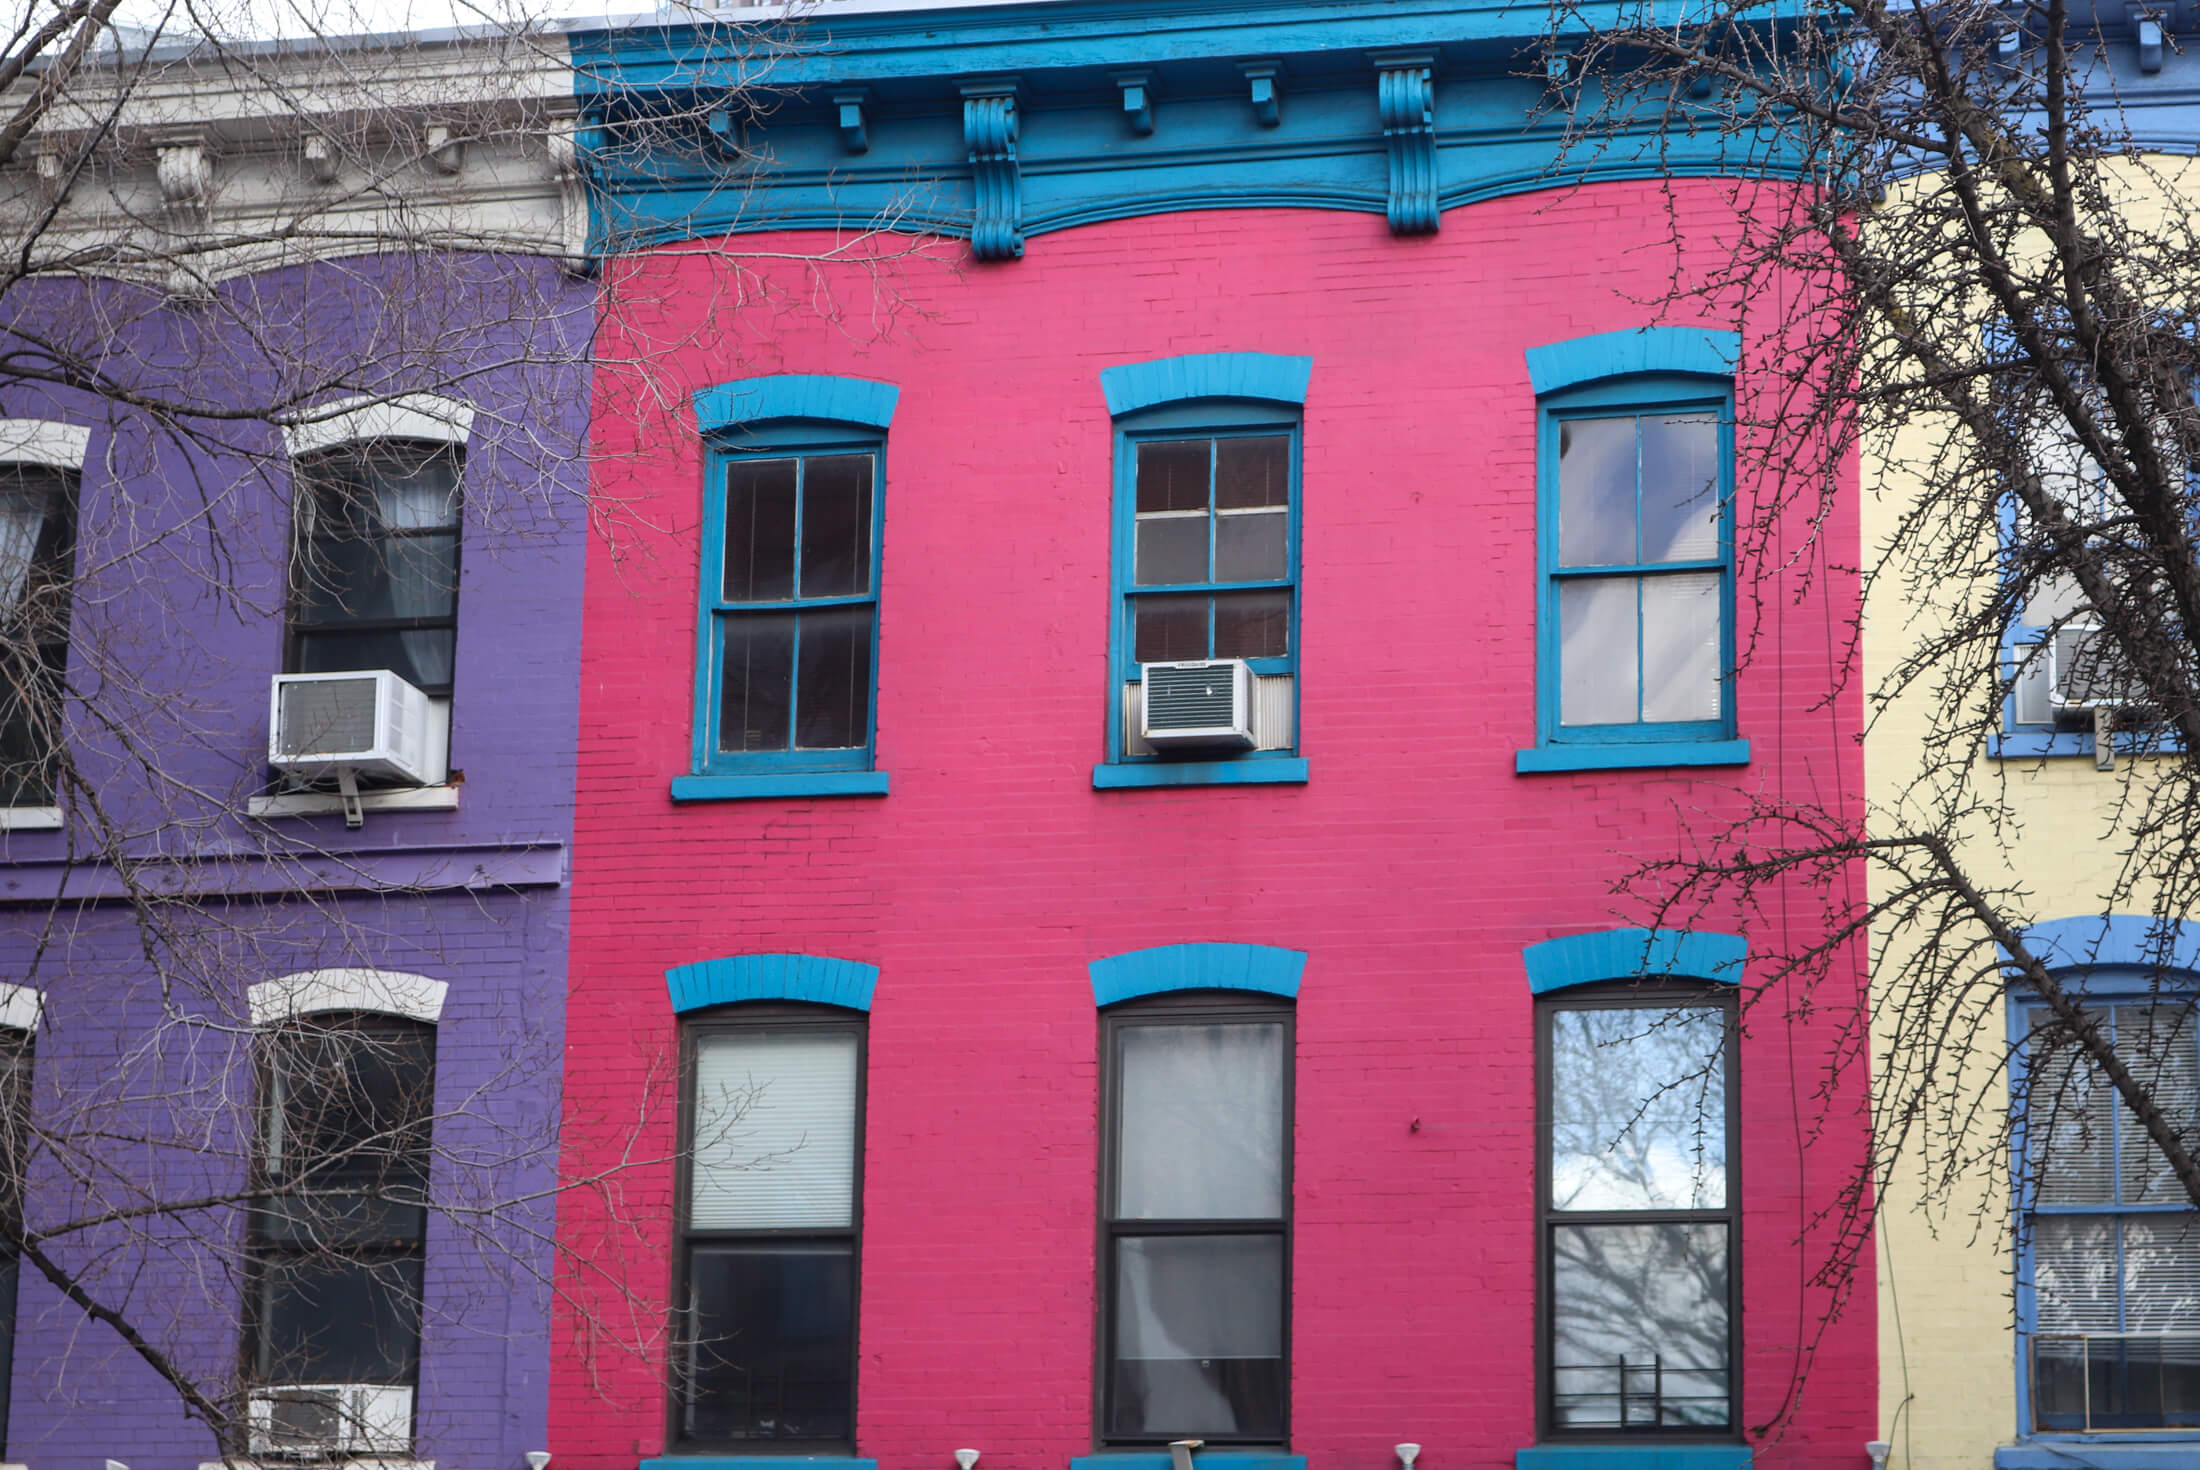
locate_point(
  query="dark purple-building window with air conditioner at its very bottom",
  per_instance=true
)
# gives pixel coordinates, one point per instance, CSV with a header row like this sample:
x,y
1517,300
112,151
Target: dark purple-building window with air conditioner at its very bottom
x,y
340,1229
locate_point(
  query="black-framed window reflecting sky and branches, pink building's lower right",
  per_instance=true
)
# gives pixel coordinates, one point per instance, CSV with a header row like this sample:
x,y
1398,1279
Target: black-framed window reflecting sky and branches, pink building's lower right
x,y
1638,1211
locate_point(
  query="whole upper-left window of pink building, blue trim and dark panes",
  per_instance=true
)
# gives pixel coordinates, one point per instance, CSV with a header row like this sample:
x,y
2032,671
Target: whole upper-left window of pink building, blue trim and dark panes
x,y
786,635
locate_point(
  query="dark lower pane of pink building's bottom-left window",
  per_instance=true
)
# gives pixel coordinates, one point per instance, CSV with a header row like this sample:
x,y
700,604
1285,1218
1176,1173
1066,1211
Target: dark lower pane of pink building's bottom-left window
x,y
771,1343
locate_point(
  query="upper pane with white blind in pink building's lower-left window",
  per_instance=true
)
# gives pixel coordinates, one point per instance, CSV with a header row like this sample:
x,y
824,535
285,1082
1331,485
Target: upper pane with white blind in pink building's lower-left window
x,y
775,1132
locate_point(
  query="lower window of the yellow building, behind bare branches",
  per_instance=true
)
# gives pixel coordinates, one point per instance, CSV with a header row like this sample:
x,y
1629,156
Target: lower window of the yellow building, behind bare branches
x,y
2109,1291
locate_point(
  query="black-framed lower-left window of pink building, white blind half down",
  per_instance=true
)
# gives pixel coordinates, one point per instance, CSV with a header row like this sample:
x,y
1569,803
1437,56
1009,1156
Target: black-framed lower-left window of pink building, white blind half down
x,y
771,1229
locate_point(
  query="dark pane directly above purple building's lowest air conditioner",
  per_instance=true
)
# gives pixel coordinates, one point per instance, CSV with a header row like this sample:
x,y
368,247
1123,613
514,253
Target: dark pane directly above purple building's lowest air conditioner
x,y
335,1321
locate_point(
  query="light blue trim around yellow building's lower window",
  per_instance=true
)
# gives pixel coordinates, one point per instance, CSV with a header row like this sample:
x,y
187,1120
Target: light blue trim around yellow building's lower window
x,y
2098,958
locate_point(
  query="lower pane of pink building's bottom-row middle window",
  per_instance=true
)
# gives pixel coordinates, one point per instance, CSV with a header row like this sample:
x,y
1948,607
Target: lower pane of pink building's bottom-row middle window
x,y
1198,1337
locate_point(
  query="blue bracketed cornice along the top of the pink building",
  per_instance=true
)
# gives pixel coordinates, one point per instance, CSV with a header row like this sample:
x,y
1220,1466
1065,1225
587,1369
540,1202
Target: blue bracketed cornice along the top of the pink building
x,y
1011,122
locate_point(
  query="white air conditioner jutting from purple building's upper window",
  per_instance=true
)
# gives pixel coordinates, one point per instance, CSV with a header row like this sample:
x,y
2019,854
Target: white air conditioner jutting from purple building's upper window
x,y
366,725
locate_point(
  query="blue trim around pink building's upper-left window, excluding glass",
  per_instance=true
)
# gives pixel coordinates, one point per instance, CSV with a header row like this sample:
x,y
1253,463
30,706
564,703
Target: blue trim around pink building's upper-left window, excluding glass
x,y
795,417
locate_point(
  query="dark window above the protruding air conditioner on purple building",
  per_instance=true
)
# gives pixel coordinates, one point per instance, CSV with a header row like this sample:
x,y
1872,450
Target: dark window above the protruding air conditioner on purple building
x,y
375,569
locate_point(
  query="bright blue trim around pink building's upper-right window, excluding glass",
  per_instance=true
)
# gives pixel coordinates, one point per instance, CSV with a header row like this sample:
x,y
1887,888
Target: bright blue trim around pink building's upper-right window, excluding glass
x,y
1596,377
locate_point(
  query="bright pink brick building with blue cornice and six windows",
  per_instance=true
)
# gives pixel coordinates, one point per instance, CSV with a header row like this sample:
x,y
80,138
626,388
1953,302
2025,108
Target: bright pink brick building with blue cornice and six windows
x,y
962,1068
